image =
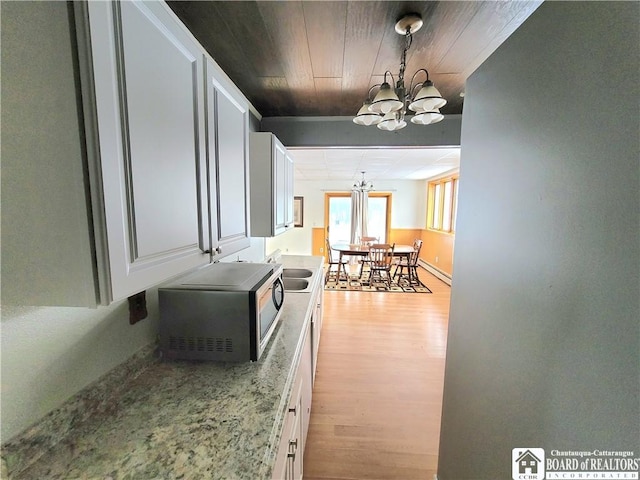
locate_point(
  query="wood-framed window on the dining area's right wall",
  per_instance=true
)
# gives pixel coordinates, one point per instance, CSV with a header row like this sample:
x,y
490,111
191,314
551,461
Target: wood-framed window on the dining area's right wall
x,y
442,207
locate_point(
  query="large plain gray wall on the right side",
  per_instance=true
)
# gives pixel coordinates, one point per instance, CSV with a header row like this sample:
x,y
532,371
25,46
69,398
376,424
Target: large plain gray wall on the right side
x,y
545,316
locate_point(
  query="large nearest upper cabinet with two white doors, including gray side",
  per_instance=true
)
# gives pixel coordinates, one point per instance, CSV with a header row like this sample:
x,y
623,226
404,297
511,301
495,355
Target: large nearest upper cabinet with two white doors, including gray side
x,y
131,176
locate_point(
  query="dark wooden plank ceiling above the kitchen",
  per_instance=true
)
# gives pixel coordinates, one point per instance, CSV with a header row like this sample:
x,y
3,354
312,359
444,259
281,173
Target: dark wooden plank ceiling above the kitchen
x,y
319,58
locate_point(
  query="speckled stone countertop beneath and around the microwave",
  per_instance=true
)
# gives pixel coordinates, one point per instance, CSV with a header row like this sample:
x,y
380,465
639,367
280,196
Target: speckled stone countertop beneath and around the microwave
x,y
186,419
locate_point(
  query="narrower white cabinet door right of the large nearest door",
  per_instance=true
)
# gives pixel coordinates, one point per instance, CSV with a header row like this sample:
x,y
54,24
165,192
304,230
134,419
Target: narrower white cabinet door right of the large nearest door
x,y
227,153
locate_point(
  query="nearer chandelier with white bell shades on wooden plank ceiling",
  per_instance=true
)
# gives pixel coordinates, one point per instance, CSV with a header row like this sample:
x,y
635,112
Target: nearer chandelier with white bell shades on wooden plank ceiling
x,y
389,107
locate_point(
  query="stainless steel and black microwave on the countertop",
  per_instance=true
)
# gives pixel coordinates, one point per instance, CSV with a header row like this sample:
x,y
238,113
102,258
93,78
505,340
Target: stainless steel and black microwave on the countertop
x,y
222,312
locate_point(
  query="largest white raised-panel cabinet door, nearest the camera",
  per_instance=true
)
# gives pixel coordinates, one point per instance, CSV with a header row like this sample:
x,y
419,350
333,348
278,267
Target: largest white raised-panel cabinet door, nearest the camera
x,y
148,76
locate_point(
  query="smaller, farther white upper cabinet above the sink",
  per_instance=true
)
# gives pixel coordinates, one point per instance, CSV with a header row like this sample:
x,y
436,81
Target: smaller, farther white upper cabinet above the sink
x,y
271,185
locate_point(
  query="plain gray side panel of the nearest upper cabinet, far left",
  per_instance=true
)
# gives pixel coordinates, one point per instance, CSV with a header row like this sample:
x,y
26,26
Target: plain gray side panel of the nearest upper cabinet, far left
x,y
45,219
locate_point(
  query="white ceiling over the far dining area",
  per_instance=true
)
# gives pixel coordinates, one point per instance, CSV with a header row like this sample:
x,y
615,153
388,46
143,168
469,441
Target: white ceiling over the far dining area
x,y
378,163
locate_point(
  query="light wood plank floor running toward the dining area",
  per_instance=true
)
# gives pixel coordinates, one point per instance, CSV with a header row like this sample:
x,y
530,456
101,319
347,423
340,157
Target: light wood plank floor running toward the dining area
x,y
377,397
